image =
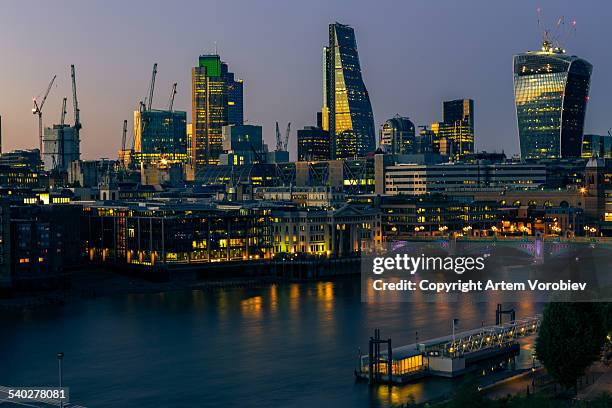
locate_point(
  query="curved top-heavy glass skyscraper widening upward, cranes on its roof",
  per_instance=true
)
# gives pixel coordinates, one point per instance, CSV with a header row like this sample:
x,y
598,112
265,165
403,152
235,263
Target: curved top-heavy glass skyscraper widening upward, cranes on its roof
x,y
551,90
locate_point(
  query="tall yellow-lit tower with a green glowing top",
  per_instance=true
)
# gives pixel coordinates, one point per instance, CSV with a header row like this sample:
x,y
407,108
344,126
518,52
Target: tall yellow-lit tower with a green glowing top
x,y
217,101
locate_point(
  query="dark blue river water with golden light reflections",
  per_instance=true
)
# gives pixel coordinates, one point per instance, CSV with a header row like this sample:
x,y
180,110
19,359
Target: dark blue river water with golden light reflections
x,y
293,344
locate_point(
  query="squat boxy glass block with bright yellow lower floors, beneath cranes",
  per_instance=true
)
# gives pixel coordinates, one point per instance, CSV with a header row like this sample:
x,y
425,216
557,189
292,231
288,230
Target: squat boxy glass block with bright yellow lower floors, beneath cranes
x,y
160,136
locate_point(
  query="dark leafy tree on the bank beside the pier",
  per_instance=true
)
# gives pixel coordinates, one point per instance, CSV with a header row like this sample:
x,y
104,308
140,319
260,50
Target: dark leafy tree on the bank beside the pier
x,y
569,340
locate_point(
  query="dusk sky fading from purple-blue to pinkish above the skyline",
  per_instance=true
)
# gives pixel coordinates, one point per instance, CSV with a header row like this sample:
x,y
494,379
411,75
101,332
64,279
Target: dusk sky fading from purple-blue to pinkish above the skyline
x,y
414,55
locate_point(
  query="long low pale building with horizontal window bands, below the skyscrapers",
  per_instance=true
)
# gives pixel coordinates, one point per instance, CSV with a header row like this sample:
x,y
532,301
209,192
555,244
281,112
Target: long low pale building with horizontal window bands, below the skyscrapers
x,y
415,179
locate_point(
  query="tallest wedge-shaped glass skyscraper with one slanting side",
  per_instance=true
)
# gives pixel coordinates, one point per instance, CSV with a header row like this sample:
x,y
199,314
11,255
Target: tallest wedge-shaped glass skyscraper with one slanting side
x,y
347,111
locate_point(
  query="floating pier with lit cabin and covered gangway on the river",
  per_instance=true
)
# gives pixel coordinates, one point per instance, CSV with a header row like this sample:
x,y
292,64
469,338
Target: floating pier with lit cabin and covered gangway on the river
x,y
483,349
